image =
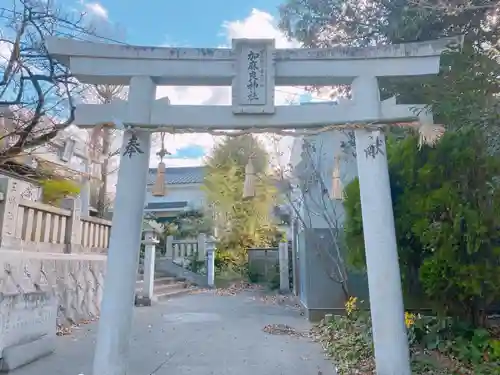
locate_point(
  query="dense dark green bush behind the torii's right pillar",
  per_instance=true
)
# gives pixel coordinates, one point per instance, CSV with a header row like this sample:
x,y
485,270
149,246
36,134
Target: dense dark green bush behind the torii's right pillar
x,y
446,202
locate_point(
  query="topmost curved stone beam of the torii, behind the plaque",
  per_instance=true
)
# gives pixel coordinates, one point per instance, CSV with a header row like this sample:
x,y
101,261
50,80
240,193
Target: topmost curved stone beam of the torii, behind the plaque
x,y
103,63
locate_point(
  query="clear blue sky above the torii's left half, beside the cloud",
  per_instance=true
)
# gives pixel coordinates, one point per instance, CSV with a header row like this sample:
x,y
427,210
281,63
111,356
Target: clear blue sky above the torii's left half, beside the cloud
x,y
194,23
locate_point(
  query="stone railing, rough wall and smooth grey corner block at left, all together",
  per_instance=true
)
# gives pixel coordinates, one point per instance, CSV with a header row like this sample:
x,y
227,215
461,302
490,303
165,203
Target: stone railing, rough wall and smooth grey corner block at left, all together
x,y
52,265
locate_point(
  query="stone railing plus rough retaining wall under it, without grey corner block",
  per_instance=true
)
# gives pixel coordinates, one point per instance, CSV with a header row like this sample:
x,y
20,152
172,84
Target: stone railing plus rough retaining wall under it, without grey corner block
x,y
53,249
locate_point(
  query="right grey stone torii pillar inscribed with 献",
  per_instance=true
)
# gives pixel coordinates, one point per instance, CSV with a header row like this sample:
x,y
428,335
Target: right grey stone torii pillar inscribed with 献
x,y
384,279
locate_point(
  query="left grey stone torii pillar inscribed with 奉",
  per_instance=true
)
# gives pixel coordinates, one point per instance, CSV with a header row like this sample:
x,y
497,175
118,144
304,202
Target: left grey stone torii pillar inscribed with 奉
x,y
112,347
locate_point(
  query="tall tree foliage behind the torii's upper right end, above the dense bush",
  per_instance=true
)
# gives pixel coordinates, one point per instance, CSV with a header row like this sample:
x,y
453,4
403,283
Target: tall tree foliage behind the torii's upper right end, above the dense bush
x,y
465,92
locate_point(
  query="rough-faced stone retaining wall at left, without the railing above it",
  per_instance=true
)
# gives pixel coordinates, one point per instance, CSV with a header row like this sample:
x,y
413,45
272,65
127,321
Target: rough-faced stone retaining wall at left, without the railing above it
x,y
75,280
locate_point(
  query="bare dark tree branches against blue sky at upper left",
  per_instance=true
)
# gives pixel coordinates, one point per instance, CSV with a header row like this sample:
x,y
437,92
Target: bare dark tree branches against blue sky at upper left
x,y
37,92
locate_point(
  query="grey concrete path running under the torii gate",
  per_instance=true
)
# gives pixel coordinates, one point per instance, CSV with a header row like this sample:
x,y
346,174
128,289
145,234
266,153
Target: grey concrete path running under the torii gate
x,y
200,334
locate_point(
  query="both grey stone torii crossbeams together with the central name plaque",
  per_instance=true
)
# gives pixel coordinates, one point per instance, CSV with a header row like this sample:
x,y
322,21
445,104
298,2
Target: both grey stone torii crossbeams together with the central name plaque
x,y
253,67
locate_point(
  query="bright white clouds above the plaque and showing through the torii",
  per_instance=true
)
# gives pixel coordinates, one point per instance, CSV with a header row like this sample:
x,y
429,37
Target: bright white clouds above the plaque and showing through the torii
x,y
257,25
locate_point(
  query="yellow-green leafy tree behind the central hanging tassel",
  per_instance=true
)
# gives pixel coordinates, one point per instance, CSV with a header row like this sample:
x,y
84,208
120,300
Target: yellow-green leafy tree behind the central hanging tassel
x,y
241,223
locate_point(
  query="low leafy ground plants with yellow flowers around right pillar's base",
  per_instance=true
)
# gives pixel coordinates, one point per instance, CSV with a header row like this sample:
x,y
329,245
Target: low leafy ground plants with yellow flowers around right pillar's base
x,y
437,346
